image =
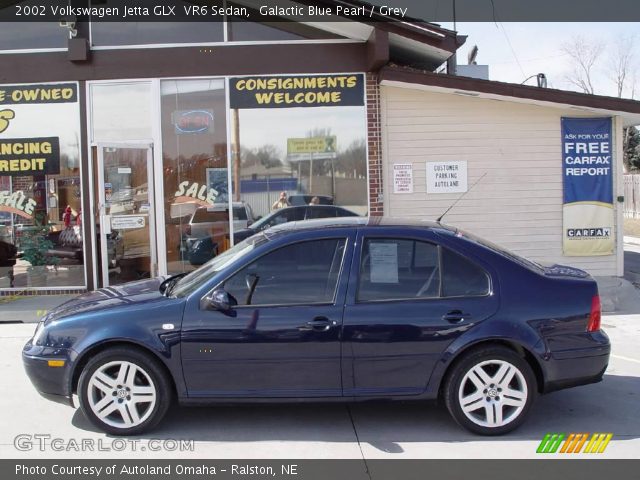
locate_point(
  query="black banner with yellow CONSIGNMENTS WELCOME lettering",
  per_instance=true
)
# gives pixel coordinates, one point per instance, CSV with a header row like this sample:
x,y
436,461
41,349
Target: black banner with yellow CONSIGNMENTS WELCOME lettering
x,y
297,91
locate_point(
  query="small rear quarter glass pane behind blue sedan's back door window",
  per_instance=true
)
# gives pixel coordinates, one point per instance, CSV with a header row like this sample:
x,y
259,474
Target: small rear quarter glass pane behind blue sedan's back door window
x,y
461,278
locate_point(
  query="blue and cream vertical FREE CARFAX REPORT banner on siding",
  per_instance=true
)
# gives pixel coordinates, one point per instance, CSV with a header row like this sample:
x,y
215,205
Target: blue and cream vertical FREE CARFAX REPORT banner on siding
x,y
587,163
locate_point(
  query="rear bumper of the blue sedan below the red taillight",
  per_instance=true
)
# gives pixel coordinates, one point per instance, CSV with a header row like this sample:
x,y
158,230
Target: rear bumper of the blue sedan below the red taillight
x,y
575,367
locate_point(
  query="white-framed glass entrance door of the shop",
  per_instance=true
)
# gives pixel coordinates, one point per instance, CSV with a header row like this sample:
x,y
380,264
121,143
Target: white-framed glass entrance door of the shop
x,y
125,220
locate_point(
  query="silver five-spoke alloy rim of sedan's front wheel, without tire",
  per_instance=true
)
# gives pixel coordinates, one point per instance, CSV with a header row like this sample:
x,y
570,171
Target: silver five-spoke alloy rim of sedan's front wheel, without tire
x,y
121,394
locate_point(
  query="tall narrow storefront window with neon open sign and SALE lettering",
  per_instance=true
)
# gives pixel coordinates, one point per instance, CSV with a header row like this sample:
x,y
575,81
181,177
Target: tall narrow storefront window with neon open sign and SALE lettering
x,y
194,155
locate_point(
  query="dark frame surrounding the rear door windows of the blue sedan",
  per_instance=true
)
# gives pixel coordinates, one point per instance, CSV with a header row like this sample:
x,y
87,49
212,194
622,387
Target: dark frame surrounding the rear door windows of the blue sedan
x,y
439,248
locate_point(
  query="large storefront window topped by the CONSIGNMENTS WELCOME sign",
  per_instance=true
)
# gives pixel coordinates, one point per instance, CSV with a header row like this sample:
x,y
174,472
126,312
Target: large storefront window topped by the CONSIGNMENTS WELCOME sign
x,y
299,140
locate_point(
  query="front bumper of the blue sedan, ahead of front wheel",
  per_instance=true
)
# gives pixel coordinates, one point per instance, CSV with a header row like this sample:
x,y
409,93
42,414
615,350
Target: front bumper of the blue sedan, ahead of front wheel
x,y
54,383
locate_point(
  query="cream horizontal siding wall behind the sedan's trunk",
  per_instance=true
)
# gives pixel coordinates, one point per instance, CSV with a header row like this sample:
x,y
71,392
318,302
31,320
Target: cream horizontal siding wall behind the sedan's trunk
x,y
518,204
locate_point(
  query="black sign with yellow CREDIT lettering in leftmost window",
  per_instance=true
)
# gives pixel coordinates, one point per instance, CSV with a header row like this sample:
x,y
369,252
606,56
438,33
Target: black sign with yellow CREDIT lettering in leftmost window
x,y
29,156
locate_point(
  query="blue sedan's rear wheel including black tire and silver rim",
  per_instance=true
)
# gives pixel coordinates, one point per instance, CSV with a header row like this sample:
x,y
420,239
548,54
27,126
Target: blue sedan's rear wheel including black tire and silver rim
x,y
497,381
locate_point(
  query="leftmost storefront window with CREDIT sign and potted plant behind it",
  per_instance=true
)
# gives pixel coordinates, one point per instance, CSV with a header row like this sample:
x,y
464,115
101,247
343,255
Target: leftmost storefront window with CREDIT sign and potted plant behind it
x,y
41,241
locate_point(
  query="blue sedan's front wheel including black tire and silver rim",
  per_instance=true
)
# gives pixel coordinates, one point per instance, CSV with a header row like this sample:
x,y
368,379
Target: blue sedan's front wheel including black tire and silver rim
x,y
113,380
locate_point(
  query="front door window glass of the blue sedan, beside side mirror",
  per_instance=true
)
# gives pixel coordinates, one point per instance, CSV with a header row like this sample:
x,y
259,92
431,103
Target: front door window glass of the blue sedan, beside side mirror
x,y
301,273
